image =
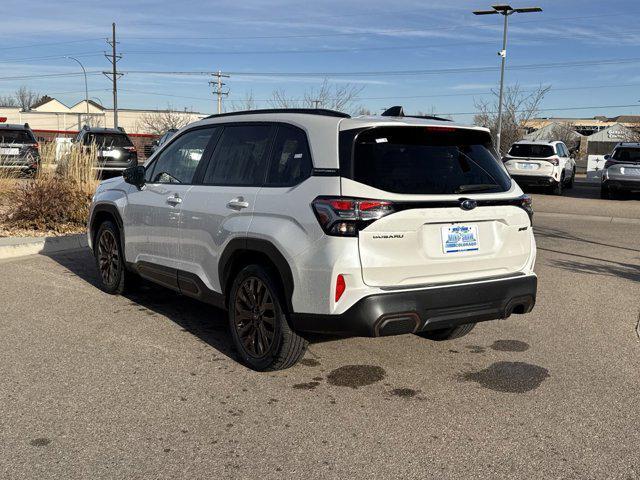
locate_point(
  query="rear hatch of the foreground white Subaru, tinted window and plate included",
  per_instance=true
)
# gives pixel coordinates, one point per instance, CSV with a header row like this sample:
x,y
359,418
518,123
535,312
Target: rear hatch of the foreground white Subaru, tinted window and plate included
x,y
447,214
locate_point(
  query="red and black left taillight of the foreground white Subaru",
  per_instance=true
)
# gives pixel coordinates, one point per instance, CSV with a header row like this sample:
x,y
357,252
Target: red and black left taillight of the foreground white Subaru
x,y
344,217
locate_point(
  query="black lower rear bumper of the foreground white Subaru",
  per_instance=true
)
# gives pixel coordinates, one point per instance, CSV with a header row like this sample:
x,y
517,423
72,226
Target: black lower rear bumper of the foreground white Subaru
x,y
434,308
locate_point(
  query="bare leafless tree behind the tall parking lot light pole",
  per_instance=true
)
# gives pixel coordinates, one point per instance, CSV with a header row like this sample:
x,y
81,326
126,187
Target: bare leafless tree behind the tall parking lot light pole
x,y
518,107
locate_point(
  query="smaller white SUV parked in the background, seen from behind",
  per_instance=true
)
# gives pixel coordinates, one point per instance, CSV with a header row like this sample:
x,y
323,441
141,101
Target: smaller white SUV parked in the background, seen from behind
x,y
543,164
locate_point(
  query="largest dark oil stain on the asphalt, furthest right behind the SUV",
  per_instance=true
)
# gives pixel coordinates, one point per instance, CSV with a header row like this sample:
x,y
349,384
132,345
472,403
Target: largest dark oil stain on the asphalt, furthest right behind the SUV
x,y
509,377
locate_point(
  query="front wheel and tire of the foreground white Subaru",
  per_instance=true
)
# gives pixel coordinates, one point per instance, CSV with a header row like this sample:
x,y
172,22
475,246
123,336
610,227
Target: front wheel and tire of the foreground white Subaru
x,y
114,278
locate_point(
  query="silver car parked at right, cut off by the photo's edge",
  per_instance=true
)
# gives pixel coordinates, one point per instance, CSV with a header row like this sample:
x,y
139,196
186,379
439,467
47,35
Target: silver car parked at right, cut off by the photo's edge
x,y
621,170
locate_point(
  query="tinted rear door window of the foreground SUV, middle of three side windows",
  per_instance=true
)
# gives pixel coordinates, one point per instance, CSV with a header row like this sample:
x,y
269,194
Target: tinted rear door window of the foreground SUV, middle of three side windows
x,y
240,157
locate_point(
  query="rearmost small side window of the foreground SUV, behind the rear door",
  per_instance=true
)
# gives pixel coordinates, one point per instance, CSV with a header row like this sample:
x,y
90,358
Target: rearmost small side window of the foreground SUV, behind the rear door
x,y
291,160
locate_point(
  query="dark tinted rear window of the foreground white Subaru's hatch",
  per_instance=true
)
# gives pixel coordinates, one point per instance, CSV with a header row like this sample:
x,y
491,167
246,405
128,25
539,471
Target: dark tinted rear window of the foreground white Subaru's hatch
x,y
427,160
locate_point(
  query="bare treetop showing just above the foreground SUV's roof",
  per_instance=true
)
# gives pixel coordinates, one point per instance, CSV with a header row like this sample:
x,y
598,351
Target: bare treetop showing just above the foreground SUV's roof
x,y
334,97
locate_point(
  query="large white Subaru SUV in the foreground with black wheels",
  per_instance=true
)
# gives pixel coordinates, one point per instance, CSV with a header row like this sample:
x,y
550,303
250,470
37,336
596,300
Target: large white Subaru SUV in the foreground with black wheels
x,y
301,221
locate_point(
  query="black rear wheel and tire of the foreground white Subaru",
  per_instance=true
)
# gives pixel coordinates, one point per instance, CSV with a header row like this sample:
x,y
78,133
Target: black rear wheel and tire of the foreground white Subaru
x,y
258,322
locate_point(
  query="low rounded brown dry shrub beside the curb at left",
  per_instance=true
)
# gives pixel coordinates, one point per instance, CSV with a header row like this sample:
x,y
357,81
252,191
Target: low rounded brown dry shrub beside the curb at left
x,y
51,203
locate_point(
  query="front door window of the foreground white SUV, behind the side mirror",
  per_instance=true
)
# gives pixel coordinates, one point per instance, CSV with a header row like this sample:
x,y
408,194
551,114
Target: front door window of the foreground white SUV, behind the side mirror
x,y
179,161
